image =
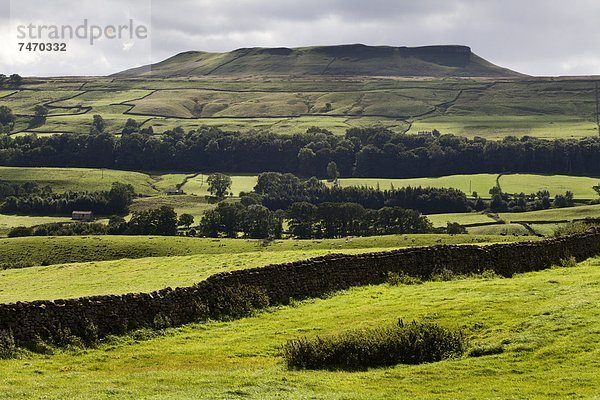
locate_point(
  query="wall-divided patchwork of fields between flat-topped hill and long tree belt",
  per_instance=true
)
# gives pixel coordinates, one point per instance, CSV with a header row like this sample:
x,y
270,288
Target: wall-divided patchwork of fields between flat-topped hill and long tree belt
x,y
558,108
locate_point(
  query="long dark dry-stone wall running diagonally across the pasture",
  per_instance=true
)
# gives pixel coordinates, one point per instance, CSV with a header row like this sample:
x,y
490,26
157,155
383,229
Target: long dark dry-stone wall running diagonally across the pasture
x,y
115,314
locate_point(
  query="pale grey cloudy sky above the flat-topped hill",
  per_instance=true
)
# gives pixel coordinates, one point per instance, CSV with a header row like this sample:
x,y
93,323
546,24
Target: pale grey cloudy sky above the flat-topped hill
x,y
537,37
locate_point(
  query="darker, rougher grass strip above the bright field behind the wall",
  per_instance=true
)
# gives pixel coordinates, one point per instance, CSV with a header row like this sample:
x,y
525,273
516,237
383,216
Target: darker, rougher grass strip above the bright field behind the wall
x,y
72,249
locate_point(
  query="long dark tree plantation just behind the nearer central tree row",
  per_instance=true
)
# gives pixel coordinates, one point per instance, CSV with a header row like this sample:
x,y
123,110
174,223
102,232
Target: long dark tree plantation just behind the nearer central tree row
x,y
279,191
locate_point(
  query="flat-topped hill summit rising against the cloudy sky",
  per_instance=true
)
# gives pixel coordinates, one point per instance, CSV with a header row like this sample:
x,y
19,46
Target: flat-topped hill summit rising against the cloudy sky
x,y
342,60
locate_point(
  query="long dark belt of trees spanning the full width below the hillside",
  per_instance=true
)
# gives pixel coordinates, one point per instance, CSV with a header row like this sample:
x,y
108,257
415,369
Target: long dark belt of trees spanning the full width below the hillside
x,y
375,152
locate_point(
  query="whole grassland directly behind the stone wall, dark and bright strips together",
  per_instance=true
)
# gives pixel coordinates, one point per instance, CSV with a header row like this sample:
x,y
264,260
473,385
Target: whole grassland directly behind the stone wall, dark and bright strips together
x,y
168,261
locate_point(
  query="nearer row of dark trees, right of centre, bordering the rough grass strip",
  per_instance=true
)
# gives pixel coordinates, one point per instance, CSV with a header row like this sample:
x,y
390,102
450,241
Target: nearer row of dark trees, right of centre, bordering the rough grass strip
x,y
334,220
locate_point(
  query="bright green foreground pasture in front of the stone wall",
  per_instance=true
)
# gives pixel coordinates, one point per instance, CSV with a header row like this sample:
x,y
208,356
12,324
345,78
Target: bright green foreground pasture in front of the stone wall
x,y
546,325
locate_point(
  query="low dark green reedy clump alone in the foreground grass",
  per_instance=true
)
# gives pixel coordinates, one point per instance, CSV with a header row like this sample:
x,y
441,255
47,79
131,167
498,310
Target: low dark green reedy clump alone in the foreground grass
x,y
413,343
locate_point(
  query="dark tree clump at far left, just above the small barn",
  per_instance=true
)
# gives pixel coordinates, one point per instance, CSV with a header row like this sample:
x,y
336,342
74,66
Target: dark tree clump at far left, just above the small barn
x,y
44,202
